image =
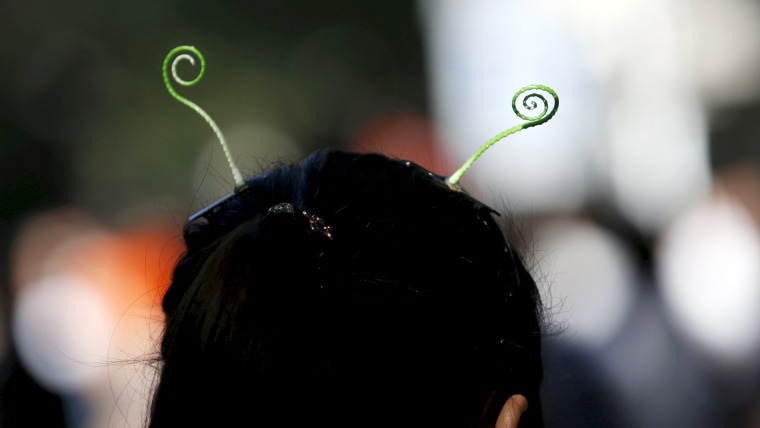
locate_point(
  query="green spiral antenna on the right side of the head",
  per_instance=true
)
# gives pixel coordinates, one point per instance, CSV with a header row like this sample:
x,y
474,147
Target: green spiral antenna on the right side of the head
x,y
529,103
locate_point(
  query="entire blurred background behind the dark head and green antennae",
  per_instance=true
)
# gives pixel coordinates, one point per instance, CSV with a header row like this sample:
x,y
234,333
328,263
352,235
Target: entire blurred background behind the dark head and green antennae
x,y
638,204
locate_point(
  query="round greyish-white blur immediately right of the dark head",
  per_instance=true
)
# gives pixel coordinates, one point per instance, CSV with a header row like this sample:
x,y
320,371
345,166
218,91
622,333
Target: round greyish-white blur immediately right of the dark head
x,y
592,287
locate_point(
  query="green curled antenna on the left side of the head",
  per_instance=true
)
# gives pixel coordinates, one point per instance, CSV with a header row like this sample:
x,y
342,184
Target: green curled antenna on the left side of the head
x,y
179,54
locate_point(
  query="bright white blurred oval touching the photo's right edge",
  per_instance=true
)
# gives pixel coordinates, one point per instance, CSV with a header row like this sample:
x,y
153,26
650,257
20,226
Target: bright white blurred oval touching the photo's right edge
x,y
709,269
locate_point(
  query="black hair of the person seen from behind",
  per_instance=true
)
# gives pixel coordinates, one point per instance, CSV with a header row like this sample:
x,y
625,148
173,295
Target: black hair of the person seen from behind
x,y
414,312
